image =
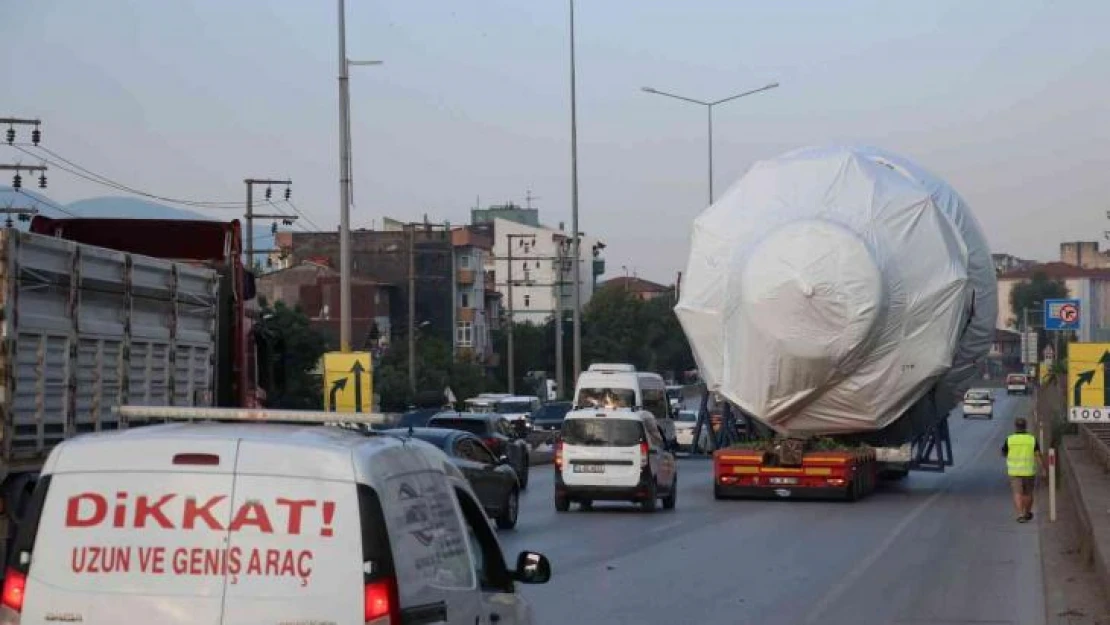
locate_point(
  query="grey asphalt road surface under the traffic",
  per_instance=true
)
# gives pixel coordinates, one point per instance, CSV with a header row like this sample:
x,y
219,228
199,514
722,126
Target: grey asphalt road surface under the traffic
x,y
935,549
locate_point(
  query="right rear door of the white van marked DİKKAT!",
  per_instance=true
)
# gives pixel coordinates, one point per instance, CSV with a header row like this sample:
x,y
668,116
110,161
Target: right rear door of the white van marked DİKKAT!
x,y
297,536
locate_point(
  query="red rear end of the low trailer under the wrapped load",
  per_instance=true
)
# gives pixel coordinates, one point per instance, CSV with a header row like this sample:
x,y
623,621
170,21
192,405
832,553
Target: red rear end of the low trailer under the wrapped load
x,y
834,475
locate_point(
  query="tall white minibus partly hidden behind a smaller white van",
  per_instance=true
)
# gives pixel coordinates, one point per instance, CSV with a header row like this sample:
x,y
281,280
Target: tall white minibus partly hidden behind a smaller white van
x,y
621,387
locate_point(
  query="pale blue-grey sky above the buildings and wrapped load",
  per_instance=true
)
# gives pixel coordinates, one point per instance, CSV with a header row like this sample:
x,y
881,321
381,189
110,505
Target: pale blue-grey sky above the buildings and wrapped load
x,y
1010,100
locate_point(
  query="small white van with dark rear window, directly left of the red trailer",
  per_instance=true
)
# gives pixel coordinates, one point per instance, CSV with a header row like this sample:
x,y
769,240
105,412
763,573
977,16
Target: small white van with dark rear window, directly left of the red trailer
x,y
613,456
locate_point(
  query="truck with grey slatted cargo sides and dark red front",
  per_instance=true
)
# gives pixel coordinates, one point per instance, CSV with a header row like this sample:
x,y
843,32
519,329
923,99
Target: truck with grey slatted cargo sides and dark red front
x,y
99,314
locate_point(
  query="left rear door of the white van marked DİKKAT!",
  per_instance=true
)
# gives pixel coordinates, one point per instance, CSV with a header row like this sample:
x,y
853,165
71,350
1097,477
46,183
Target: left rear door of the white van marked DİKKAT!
x,y
133,532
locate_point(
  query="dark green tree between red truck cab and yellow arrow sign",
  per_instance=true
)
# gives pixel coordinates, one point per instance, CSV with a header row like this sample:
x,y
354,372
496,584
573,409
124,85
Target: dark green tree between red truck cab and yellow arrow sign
x,y
290,349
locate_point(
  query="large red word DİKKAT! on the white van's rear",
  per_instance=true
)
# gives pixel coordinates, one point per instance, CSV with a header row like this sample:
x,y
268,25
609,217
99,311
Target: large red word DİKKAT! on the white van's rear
x,y
180,512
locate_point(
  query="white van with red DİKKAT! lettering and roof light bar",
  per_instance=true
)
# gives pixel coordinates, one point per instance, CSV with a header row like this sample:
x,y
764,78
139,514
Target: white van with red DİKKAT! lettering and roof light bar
x,y
258,523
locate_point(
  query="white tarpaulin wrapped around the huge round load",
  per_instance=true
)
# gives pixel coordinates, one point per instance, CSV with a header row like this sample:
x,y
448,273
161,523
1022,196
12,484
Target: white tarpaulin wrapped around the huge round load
x,y
831,289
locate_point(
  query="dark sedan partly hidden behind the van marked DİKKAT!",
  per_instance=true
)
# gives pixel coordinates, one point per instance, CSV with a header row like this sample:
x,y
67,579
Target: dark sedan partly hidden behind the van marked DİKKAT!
x,y
493,480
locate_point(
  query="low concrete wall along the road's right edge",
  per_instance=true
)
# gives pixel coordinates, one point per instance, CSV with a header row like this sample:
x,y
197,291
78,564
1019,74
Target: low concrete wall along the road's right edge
x,y
1077,468
